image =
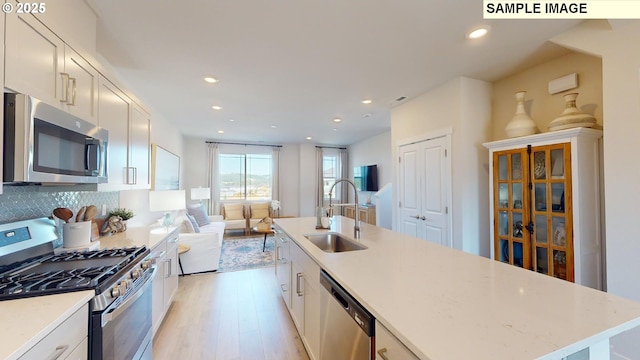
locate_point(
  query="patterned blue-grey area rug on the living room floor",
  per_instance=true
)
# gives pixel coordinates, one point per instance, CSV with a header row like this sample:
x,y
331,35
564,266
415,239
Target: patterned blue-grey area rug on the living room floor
x,y
242,253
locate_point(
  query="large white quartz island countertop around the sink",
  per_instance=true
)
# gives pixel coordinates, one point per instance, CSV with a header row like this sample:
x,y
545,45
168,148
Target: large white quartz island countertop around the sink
x,y
446,304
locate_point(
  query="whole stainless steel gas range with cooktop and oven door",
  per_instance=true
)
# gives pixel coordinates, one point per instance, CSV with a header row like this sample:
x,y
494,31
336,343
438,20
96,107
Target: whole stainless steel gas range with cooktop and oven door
x,y
120,313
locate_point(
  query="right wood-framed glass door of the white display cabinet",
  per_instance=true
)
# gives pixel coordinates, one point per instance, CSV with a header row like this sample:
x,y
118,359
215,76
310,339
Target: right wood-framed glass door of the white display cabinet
x,y
551,213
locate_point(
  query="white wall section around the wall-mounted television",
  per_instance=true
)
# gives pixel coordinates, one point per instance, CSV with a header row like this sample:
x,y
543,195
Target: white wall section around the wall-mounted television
x,y
375,150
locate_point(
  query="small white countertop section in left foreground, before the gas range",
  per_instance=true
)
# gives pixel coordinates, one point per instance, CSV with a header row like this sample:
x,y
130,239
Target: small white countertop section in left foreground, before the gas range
x,y
24,322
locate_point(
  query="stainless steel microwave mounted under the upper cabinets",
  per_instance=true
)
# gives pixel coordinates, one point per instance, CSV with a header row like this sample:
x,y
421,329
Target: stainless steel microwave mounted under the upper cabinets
x,y
44,144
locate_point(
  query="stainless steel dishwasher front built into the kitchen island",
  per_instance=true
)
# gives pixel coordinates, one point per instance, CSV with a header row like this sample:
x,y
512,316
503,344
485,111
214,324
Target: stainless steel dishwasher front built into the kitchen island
x,y
346,328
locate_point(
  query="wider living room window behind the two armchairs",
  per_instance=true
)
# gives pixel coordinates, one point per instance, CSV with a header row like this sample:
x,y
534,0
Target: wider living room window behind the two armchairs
x,y
245,176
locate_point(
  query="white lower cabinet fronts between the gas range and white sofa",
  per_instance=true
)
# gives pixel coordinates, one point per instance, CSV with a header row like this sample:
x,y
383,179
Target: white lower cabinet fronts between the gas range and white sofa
x,y
165,283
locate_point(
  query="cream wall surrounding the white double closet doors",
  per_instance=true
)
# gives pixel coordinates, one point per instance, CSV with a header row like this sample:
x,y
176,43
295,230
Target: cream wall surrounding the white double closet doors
x,y
462,104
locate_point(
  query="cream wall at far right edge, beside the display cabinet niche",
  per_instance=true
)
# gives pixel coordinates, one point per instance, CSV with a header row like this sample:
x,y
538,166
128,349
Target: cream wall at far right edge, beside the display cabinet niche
x,y
620,54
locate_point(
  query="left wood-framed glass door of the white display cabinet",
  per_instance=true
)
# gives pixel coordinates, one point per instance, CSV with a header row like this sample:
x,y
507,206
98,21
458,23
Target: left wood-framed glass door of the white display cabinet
x,y
512,243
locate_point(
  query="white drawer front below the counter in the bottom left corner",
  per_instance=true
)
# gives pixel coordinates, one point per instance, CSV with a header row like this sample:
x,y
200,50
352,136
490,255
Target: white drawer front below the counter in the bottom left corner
x,y
67,341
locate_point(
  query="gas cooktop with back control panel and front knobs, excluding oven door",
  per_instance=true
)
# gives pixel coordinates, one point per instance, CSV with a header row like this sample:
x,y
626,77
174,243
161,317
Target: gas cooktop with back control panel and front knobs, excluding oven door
x,y
29,267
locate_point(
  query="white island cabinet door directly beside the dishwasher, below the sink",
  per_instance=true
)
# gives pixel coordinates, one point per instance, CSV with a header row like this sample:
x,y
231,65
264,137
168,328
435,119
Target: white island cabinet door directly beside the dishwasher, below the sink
x,y
305,299
